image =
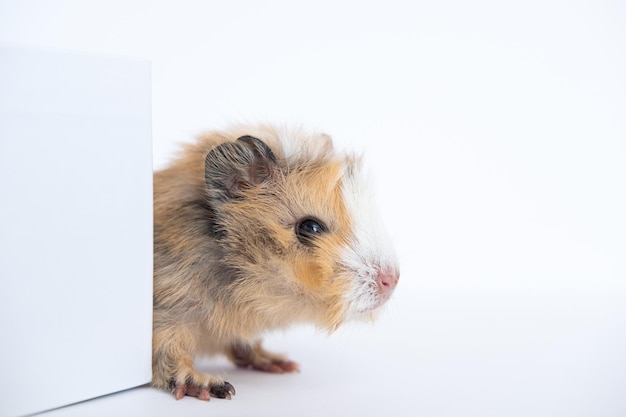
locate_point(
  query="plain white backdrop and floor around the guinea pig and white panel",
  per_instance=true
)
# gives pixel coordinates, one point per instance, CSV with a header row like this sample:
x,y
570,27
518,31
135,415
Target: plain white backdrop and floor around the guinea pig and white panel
x,y
497,133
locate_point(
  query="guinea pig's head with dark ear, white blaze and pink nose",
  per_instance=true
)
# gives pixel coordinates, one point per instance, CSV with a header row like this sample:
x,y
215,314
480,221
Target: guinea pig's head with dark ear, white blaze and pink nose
x,y
298,229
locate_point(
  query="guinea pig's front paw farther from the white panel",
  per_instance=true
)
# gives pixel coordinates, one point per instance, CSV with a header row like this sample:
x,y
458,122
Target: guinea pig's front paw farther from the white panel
x,y
253,356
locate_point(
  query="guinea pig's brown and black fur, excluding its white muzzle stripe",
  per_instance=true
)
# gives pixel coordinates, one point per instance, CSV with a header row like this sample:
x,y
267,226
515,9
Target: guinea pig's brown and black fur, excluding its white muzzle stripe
x,y
228,268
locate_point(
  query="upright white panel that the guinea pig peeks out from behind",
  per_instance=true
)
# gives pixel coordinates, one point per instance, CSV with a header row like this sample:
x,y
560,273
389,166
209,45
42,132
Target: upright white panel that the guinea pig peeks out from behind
x,y
76,228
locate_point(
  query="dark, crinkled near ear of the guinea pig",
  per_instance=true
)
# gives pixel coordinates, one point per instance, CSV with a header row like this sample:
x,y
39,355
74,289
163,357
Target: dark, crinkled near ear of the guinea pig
x,y
235,166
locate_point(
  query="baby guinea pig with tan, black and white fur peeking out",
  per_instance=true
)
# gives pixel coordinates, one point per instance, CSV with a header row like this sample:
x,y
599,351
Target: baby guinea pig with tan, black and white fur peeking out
x,y
256,229
